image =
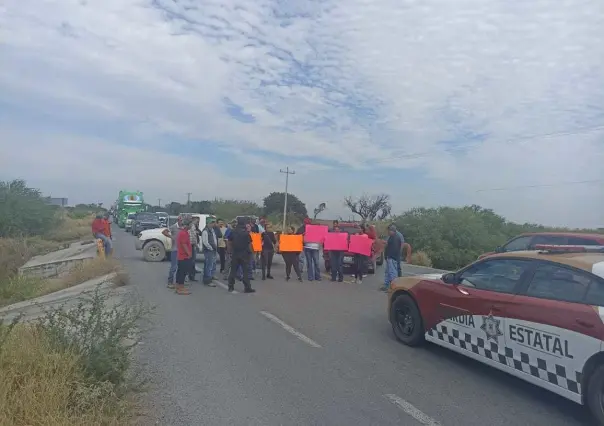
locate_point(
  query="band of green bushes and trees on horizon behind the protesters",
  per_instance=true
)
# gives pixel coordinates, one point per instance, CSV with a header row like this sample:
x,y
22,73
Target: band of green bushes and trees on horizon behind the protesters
x,y
441,237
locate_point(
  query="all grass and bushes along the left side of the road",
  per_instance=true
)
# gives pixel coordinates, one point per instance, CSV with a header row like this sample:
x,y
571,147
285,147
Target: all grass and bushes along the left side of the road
x,y
71,366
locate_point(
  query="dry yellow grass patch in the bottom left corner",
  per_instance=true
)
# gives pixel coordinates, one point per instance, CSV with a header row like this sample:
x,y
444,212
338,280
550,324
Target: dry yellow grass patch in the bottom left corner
x,y
41,385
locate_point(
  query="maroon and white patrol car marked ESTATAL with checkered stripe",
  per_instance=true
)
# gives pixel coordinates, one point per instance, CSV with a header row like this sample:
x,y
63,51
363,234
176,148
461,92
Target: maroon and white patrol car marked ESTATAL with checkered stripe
x,y
538,315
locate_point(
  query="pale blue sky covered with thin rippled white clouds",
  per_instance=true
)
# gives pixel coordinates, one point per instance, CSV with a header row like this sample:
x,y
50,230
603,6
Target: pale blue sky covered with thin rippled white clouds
x,y
436,102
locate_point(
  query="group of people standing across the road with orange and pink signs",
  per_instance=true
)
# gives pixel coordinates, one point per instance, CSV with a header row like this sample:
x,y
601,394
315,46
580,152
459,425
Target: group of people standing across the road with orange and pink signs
x,y
231,246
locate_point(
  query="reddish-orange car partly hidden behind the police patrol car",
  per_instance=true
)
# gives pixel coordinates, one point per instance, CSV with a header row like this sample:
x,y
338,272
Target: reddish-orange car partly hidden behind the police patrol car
x,y
529,240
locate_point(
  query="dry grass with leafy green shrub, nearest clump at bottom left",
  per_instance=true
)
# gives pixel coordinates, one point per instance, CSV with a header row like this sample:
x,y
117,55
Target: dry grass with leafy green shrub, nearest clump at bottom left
x,y
72,366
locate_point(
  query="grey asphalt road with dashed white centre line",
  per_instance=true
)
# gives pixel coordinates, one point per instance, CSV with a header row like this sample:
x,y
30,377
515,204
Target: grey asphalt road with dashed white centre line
x,y
312,353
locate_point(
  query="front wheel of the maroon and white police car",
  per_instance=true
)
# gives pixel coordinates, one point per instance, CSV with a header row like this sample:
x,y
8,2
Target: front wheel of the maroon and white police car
x,y
406,321
